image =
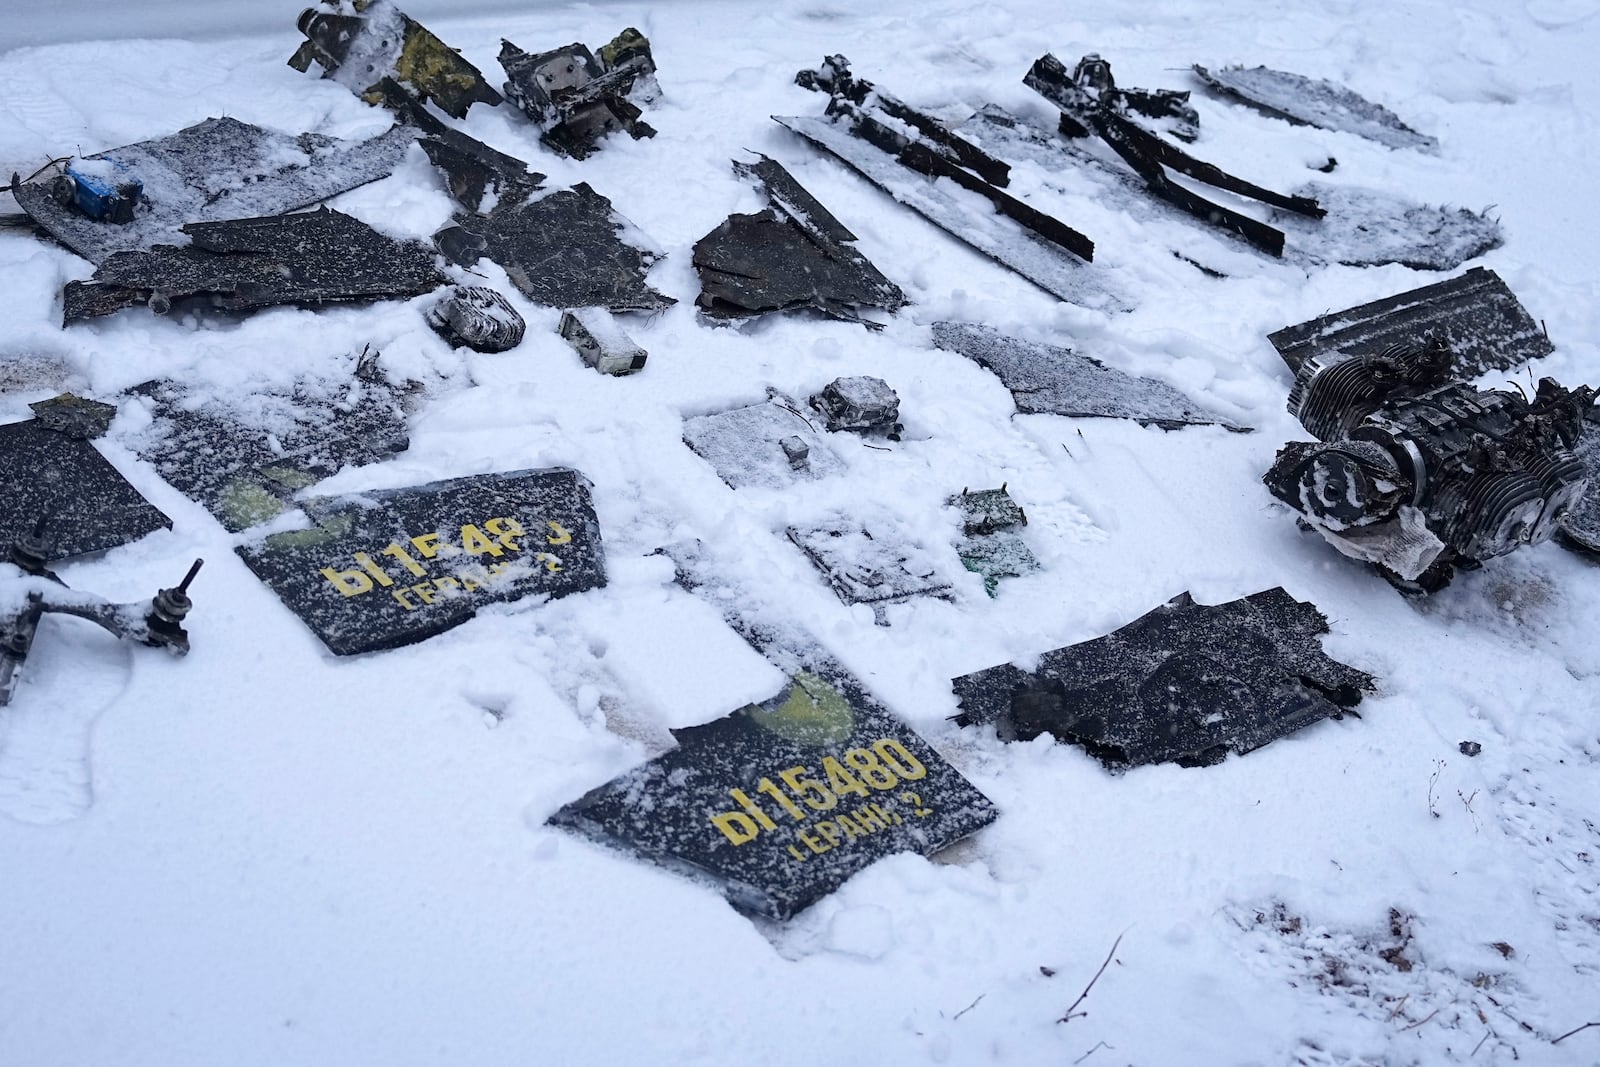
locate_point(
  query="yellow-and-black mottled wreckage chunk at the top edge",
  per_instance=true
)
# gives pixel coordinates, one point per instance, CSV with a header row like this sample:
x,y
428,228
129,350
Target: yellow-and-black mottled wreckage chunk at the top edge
x,y
362,42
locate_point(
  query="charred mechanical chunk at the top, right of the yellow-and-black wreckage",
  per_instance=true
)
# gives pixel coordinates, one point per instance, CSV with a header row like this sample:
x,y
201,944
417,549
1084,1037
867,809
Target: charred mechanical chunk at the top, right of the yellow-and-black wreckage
x,y
577,98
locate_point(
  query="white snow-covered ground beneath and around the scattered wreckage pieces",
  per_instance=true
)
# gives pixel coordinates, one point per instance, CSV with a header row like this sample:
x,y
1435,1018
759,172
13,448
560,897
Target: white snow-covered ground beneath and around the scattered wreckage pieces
x,y
265,855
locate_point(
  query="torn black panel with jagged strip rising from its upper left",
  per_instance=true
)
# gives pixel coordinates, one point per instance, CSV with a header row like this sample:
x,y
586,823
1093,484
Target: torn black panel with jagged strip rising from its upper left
x,y
564,249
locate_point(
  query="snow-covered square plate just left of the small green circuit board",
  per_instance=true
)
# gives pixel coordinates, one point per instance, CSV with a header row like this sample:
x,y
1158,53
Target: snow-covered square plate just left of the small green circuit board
x,y
873,570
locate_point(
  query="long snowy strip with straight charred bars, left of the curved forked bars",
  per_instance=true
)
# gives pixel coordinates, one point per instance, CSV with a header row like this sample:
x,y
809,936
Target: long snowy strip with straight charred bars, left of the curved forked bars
x,y
905,153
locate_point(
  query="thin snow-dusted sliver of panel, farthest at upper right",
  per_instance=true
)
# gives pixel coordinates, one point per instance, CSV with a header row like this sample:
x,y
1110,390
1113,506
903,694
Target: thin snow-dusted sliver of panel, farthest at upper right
x,y
1313,103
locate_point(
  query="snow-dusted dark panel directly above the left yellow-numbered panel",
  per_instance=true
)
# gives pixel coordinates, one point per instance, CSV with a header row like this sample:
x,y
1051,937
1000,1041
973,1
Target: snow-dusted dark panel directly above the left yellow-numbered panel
x,y
246,462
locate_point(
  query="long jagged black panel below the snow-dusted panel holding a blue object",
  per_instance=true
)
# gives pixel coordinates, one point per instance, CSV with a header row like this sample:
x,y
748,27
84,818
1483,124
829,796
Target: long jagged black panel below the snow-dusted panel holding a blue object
x,y
246,265
